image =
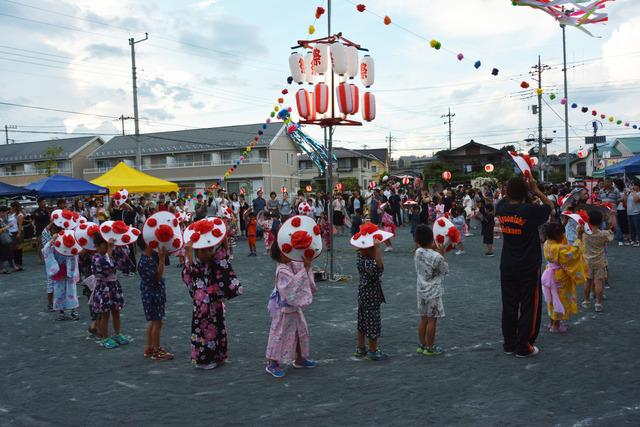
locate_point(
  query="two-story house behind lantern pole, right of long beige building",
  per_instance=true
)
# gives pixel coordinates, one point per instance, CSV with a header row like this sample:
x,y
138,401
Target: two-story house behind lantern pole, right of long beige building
x,y
350,164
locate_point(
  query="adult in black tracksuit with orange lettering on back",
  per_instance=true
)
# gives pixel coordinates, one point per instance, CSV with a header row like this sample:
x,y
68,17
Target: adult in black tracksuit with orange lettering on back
x,y
520,265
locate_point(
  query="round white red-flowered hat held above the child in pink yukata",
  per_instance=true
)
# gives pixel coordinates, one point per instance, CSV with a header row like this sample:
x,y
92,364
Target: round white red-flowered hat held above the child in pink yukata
x,y
299,238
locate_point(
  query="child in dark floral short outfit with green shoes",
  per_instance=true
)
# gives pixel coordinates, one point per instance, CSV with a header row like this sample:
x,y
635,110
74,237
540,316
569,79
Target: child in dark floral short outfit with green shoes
x,y
108,298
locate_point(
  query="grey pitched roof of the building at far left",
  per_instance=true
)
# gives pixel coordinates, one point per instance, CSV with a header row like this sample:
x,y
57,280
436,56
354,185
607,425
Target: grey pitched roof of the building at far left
x,y
36,151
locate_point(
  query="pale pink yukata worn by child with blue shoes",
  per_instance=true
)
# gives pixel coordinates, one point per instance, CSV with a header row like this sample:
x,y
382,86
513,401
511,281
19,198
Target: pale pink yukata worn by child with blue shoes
x,y
293,291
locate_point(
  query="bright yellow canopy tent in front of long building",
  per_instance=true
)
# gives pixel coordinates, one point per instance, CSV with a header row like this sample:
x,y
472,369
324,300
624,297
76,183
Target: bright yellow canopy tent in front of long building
x,y
123,176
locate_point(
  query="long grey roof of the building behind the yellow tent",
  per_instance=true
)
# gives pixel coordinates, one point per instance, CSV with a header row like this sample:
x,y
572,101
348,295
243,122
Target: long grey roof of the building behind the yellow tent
x,y
190,140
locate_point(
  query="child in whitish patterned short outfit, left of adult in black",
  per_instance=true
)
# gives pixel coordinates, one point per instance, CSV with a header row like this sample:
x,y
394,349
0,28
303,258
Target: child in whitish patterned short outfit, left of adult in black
x,y
431,268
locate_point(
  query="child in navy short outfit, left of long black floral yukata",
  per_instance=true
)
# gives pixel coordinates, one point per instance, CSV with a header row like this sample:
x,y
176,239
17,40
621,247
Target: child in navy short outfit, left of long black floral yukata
x,y
153,295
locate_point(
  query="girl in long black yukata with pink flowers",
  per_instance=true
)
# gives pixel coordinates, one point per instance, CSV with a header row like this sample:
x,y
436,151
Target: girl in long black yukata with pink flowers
x,y
210,280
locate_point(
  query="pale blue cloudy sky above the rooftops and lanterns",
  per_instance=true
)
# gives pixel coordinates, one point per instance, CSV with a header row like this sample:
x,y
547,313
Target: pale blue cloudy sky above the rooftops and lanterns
x,y
222,62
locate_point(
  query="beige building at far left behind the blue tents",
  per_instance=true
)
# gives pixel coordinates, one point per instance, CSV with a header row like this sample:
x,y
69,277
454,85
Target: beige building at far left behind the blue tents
x,y
26,162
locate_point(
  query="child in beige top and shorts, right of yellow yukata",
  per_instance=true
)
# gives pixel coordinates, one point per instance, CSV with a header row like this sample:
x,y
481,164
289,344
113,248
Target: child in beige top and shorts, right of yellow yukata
x,y
596,257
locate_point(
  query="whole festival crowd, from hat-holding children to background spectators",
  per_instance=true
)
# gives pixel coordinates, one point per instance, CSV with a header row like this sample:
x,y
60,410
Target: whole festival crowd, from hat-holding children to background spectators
x,y
567,225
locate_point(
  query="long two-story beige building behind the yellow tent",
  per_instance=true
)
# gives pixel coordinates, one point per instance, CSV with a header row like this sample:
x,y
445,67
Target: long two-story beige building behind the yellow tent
x,y
196,159
